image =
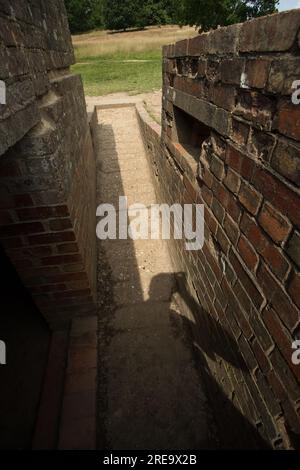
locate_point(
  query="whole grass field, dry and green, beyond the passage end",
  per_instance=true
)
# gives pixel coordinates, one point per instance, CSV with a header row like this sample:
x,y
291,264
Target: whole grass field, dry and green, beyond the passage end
x,y
124,62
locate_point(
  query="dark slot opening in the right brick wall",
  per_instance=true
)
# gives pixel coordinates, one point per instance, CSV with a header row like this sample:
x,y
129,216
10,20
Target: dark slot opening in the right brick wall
x,y
189,133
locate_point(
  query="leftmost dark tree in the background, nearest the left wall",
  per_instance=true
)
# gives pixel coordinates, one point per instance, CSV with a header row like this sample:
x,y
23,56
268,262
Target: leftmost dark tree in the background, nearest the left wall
x,y
84,15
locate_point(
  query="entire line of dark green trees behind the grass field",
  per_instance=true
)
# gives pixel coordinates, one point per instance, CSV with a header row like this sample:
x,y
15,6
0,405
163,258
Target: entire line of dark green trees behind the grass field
x,y
85,15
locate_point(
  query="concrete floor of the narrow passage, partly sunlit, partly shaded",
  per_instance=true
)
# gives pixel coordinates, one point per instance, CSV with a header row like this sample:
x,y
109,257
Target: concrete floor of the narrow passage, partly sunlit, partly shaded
x,y
150,393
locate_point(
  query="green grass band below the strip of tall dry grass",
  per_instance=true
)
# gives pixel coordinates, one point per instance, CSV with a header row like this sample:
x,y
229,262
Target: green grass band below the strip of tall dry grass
x,y
111,74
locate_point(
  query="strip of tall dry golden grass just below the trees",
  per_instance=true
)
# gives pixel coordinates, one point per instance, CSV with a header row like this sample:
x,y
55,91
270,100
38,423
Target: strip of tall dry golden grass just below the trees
x,y
103,43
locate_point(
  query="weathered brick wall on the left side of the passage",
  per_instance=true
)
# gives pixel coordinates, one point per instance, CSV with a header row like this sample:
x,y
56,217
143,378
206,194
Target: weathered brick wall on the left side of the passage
x,y
47,169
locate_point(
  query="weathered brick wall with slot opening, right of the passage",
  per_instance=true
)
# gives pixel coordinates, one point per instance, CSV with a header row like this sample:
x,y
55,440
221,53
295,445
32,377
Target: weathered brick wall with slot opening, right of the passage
x,y
244,166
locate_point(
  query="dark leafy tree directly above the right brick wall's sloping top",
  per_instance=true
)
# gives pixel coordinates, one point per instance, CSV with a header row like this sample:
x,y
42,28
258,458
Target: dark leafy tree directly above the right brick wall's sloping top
x,y
213,13
